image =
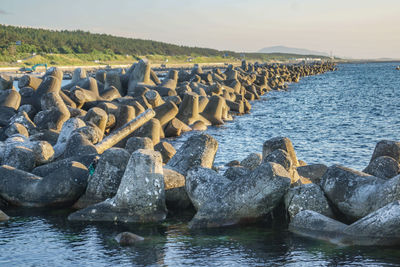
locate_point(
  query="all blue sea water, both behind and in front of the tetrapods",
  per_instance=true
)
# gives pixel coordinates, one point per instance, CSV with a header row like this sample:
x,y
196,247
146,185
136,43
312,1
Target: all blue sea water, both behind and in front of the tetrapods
x,y
333,118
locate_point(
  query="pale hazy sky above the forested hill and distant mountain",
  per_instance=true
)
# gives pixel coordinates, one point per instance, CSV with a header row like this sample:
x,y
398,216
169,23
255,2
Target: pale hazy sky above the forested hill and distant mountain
x,y
349,28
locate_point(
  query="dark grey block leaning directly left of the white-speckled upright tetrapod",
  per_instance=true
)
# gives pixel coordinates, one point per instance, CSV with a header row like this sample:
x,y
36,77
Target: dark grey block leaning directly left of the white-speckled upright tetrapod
x,y
106,178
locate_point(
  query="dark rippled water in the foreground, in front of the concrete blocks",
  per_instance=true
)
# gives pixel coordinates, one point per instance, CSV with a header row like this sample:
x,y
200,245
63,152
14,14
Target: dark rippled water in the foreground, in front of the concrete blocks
x,y
45,238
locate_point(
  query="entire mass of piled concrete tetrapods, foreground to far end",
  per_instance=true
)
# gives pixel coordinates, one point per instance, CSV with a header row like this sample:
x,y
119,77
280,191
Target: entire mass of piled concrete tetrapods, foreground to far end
x,y
116,136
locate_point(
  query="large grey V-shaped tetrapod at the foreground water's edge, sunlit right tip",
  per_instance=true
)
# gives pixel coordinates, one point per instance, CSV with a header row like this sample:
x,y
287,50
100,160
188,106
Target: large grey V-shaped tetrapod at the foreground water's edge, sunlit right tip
x,y
221,202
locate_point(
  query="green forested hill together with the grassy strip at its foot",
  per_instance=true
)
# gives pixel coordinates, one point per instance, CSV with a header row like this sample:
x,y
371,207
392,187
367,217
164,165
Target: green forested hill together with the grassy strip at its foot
x,y
20,43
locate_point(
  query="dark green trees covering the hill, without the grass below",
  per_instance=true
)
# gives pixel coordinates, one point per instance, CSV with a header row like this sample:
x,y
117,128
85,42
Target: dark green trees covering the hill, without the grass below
x,y
22,40
